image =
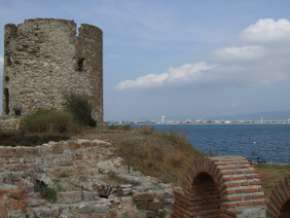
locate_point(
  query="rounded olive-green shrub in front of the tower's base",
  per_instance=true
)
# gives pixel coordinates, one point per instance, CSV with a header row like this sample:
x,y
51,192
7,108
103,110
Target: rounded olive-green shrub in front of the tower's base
x,y
48,121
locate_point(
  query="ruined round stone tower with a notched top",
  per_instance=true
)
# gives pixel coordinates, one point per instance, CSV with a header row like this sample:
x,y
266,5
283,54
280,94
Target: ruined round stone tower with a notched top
x,y
44,59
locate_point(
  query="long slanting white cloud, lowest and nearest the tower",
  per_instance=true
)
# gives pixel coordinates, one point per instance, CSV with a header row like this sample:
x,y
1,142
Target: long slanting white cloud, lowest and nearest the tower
x,y
182,74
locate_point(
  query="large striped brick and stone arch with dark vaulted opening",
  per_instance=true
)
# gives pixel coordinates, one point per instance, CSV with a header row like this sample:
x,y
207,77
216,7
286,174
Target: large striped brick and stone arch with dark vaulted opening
x,y
218,187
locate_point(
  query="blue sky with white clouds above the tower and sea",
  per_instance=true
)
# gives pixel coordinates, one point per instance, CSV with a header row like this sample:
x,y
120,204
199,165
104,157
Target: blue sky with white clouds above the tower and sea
x,y
187,58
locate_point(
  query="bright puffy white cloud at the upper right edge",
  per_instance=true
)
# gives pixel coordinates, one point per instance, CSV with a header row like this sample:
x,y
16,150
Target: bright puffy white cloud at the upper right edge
x,y
268,31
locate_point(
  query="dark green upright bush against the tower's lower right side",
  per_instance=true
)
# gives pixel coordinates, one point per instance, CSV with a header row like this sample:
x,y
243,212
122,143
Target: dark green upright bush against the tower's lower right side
x,y
80,108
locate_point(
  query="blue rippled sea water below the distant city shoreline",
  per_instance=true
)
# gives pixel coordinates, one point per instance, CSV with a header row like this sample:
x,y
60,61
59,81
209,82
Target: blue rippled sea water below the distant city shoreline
x,y
267,142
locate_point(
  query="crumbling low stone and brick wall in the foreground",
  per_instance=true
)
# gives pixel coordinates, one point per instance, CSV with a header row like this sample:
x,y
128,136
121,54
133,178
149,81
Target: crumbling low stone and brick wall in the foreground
x,y
90,182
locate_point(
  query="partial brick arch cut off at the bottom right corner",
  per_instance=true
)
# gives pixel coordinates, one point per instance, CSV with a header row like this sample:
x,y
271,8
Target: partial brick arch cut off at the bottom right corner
x,y
278,205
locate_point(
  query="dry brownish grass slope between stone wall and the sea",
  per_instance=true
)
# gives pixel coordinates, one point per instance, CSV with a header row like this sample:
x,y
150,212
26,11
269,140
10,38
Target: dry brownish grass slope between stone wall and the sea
x,y
162,155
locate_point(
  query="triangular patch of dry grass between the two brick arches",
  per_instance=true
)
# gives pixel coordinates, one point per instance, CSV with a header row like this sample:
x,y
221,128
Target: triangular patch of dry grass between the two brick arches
x,y
271,175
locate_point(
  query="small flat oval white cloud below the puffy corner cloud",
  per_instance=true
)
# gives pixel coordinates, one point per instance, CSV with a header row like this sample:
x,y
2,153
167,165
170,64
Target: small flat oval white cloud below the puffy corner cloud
x,y
243,53
